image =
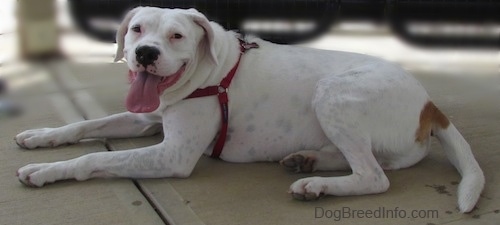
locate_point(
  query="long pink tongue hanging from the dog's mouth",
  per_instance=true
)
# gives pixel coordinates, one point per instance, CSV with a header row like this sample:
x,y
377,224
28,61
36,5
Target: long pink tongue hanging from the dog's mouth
x,y
143,95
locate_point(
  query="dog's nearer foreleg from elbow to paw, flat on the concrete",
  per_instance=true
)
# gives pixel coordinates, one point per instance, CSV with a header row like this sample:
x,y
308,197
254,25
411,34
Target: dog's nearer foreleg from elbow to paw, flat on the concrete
x,y
149,162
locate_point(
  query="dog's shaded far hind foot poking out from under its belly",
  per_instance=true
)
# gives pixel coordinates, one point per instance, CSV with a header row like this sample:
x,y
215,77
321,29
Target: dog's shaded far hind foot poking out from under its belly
x,y
328,158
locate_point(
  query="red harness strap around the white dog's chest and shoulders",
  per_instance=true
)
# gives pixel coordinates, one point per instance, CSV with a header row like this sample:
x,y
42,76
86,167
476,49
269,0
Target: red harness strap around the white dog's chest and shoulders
x,y
221,92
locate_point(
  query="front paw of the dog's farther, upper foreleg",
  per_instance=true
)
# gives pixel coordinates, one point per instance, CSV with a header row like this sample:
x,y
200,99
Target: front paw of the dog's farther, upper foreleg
x,y
45,137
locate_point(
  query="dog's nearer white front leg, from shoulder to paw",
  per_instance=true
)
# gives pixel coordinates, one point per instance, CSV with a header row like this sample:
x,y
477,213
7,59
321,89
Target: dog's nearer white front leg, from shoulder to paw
x,y
187,130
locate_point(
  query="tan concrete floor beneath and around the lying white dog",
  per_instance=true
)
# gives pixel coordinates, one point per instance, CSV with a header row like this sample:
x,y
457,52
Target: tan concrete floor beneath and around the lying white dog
x,y
61,92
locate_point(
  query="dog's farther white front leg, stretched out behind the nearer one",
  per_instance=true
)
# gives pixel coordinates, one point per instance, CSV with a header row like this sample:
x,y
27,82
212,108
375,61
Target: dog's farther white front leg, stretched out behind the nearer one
x,y
115,126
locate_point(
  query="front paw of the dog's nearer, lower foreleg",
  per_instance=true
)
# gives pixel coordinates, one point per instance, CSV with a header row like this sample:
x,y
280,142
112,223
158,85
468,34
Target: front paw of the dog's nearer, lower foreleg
x,y
36,175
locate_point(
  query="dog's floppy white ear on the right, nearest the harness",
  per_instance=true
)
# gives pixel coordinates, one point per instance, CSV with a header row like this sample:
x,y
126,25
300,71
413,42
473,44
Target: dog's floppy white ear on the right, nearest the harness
x,y
208,41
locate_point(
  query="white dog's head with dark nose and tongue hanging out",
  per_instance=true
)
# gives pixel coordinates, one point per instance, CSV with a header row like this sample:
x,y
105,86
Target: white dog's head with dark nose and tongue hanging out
x,y
159,44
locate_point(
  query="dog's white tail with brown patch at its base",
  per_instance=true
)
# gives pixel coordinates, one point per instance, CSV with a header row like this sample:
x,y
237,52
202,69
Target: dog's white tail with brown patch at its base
x,y
460,155
